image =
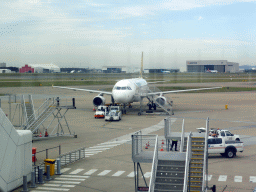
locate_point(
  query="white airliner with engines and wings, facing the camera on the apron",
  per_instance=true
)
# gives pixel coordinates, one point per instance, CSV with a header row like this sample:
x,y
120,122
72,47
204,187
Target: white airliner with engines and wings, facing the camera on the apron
x,y
127,91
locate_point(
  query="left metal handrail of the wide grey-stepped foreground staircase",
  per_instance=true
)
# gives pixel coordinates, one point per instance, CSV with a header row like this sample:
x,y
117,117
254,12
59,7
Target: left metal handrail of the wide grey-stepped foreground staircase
x,y
154,167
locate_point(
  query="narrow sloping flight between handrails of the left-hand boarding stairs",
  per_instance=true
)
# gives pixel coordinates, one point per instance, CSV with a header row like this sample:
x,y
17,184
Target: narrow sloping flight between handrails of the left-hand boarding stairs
x,y
33,126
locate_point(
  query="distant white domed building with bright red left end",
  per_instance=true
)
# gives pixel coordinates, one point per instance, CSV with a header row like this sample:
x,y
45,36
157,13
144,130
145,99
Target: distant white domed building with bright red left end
x,y
40,68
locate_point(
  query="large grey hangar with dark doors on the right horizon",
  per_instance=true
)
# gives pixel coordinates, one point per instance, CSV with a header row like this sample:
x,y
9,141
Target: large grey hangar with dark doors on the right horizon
x,y
220,66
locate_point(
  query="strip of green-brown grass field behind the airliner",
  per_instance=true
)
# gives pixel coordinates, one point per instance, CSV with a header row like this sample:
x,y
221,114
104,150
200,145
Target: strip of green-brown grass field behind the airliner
x,y
84,79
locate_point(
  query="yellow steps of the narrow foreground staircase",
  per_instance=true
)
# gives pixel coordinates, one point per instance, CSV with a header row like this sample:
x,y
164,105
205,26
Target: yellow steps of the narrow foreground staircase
x,y
196,164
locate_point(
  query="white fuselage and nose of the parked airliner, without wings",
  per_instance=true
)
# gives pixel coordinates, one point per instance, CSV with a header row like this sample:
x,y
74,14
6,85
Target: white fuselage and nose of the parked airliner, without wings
x,y
129,90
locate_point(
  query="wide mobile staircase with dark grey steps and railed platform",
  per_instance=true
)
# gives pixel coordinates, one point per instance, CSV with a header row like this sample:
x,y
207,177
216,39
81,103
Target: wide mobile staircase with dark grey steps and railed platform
x,y
169,170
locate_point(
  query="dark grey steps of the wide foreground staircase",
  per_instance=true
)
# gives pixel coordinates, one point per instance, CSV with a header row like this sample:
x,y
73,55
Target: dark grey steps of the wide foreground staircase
x,y
170,176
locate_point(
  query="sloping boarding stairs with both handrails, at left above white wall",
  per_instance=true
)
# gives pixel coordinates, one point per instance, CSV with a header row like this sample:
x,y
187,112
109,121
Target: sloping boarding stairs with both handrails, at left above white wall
x,y
39,117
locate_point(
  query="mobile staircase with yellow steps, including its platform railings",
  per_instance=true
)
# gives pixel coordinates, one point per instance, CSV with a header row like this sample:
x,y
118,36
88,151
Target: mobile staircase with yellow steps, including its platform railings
x,y
198,168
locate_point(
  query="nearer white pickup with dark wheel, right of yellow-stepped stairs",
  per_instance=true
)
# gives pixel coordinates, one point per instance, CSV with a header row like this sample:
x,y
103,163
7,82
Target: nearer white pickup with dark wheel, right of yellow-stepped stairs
x,y
225,148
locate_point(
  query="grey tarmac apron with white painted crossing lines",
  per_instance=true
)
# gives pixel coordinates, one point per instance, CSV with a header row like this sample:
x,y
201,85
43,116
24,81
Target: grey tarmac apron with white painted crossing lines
x,y
112,168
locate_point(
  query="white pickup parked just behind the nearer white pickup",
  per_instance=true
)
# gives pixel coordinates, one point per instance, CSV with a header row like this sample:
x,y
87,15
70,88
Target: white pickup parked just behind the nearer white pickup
x,y
220,133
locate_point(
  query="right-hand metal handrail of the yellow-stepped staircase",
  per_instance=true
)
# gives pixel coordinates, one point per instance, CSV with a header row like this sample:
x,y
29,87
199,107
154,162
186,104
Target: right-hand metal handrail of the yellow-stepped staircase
x,y
205,167
